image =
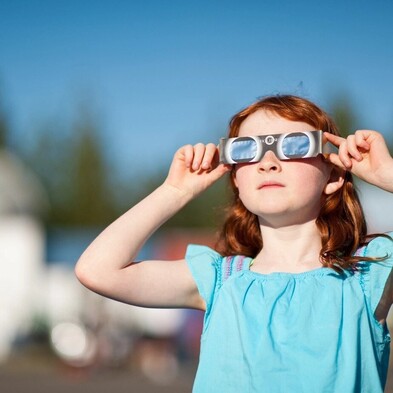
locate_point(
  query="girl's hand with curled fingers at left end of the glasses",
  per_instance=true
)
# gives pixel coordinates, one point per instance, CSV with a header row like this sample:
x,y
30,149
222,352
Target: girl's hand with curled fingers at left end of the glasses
x,y
195,168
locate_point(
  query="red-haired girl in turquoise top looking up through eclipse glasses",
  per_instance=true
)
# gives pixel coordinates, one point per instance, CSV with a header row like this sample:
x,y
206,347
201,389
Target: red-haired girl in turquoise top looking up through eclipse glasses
x,y
296,294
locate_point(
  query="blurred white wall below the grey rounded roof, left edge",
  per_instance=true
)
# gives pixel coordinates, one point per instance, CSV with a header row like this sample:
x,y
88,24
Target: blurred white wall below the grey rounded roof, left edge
x,y
22,265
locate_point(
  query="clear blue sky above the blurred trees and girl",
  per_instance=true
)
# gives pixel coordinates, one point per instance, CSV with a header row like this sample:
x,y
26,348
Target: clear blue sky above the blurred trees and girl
x,y
160,74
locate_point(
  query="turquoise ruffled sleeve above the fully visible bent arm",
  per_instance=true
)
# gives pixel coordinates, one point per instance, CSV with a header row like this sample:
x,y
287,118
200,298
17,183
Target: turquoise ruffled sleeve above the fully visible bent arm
x,y
204,265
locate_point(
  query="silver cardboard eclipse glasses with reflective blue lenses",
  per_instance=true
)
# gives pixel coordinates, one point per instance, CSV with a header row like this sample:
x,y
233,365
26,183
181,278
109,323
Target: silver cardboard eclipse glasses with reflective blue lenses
x,y
287,146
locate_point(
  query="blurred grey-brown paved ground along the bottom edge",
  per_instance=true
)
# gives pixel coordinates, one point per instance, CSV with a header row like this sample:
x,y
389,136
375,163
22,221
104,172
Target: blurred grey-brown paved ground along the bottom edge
x,y
48,376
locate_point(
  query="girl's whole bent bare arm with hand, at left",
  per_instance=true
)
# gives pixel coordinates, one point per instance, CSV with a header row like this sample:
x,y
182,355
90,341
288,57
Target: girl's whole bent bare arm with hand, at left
x,y
108,265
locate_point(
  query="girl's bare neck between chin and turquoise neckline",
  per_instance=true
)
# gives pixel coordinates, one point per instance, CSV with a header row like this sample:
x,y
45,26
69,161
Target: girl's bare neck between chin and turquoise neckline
x,y
291,249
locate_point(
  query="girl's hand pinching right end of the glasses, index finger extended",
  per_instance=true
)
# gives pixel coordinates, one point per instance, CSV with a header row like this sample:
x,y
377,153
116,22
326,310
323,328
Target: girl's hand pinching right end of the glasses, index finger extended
x,y
366,155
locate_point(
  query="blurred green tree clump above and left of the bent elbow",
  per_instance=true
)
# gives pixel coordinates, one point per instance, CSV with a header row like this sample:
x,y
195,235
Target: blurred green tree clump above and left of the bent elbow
x,y
71,162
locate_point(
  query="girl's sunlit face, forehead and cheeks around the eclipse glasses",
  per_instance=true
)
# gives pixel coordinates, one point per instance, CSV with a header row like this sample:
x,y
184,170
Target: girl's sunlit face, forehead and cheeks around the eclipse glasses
x,y
280,192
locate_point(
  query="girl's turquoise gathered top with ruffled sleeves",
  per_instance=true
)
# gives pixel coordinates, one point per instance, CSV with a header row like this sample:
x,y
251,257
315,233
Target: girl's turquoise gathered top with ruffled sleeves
x,y
284,332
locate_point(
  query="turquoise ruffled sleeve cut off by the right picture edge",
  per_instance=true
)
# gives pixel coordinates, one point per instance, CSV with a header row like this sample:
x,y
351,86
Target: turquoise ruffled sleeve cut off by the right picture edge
x,y
374,275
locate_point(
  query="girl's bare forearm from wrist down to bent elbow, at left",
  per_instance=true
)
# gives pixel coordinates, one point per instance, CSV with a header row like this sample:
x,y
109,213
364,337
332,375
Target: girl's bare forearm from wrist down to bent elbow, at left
x,y
119,244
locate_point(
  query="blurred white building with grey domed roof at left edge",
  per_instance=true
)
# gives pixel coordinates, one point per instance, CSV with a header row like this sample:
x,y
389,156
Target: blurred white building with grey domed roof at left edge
x,y
22,244
